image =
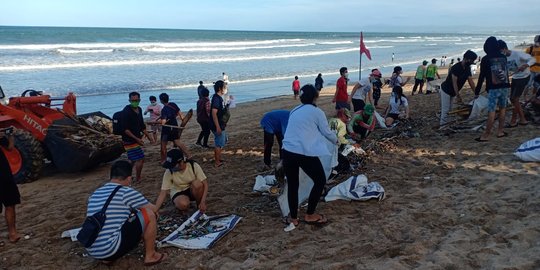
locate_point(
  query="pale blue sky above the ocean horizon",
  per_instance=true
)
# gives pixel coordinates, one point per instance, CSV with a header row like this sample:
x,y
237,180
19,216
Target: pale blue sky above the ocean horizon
x,y
279,15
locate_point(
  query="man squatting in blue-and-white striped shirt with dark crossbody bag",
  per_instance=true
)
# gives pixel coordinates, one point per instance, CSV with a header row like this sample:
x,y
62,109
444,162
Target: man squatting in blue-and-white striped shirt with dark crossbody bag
x,y
129,217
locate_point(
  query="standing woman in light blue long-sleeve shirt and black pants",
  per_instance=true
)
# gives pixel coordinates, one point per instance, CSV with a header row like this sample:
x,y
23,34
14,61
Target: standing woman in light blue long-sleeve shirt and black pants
x,y
302,146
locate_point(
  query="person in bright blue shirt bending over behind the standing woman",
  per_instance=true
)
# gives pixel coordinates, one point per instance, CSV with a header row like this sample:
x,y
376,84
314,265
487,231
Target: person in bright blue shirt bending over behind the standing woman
x,y
273,123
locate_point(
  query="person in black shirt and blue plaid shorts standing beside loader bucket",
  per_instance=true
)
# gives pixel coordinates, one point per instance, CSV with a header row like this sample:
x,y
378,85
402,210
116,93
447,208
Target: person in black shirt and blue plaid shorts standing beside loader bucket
x,y
133,126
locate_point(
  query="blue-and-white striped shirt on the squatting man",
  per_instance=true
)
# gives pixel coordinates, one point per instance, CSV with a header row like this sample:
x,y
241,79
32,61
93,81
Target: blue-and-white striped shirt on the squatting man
x,y
117,212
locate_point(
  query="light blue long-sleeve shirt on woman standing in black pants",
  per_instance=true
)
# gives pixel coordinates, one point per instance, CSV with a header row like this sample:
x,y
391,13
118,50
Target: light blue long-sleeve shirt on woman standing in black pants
x,y
306,131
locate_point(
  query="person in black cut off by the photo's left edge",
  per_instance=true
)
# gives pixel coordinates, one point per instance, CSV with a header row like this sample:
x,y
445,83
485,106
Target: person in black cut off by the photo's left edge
x,y
9,193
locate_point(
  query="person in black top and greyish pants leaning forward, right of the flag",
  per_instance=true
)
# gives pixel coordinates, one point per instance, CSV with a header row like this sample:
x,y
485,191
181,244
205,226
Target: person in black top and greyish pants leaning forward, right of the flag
x,y
458,74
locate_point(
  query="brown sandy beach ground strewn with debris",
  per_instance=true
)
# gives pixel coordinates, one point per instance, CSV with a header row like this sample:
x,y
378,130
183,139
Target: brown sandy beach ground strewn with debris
x,y
451,203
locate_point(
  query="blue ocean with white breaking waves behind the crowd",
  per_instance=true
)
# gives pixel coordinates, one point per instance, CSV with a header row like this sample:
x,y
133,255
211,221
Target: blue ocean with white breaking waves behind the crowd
x,y
102,65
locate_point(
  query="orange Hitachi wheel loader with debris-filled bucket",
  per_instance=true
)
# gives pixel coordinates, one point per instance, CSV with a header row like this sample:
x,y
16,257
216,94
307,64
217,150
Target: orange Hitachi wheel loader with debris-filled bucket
x,y
46,131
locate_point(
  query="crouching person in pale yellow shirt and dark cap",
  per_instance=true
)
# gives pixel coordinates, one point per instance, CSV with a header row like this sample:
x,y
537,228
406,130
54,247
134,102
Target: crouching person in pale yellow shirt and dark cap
x,y
184,180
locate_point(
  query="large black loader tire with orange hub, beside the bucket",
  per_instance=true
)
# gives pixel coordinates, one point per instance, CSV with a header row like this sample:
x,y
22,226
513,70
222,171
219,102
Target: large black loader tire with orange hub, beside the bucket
x,y
29,153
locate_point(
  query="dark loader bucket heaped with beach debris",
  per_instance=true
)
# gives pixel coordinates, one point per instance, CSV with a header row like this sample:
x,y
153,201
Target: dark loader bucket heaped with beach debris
x,y
79,143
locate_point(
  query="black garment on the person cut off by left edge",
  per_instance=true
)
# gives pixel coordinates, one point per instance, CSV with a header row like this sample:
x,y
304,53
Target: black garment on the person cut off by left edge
x,y
9,192
